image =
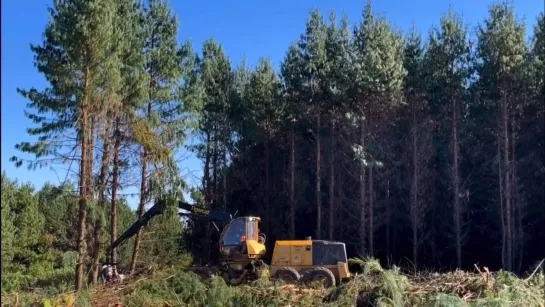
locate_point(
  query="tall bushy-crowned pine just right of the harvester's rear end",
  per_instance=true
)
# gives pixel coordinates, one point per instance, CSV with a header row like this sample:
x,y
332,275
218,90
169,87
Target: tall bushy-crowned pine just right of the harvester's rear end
x,y
380,78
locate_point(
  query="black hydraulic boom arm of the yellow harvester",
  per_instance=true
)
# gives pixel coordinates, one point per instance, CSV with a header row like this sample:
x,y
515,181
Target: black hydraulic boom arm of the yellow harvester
x,y
159,208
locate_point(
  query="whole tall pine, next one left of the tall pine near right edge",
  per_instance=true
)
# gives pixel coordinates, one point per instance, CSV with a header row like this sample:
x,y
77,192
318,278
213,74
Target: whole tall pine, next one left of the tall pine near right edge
x,y
447,67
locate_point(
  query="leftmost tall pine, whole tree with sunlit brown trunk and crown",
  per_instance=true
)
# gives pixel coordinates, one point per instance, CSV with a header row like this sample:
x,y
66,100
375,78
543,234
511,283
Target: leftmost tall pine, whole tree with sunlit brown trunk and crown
x,y
76,58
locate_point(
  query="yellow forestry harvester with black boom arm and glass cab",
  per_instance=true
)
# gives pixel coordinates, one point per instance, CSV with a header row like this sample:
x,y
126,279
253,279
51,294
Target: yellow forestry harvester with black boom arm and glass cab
x,y
242,248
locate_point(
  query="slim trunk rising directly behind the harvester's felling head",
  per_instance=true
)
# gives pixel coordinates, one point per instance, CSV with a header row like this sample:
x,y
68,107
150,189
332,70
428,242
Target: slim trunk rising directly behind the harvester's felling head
x,y
115,182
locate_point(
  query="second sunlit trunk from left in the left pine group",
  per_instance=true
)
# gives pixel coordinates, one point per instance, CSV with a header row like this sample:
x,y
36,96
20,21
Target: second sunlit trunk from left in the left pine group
x,y
101,200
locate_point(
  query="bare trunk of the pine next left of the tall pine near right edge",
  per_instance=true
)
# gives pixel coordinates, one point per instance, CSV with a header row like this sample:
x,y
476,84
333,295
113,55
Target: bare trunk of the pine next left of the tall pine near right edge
x,y
456,184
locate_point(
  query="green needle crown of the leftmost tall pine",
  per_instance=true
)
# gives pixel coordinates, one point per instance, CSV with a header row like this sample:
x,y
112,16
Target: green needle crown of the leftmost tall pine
x,y
77,39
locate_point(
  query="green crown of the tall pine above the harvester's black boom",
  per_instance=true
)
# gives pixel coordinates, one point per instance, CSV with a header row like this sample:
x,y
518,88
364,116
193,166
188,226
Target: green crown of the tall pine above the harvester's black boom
x,y
169,104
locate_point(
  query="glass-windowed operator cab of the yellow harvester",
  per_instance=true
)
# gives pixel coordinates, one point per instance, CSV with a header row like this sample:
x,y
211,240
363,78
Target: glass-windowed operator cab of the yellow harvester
x,y
240,232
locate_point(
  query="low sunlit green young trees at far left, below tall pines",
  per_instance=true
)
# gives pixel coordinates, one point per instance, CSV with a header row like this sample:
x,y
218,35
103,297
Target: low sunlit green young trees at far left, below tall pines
x,y
43,255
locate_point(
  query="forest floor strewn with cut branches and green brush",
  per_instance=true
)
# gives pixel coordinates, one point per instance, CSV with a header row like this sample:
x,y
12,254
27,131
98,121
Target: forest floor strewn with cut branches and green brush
x,y
372,286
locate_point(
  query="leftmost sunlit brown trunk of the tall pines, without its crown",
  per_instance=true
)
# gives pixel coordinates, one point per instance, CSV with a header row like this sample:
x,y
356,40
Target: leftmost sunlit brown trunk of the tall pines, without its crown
x,y
83,201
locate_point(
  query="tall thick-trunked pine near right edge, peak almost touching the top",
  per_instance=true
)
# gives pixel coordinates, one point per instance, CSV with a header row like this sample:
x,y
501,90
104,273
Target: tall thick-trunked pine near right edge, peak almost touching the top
x,y
501,48
